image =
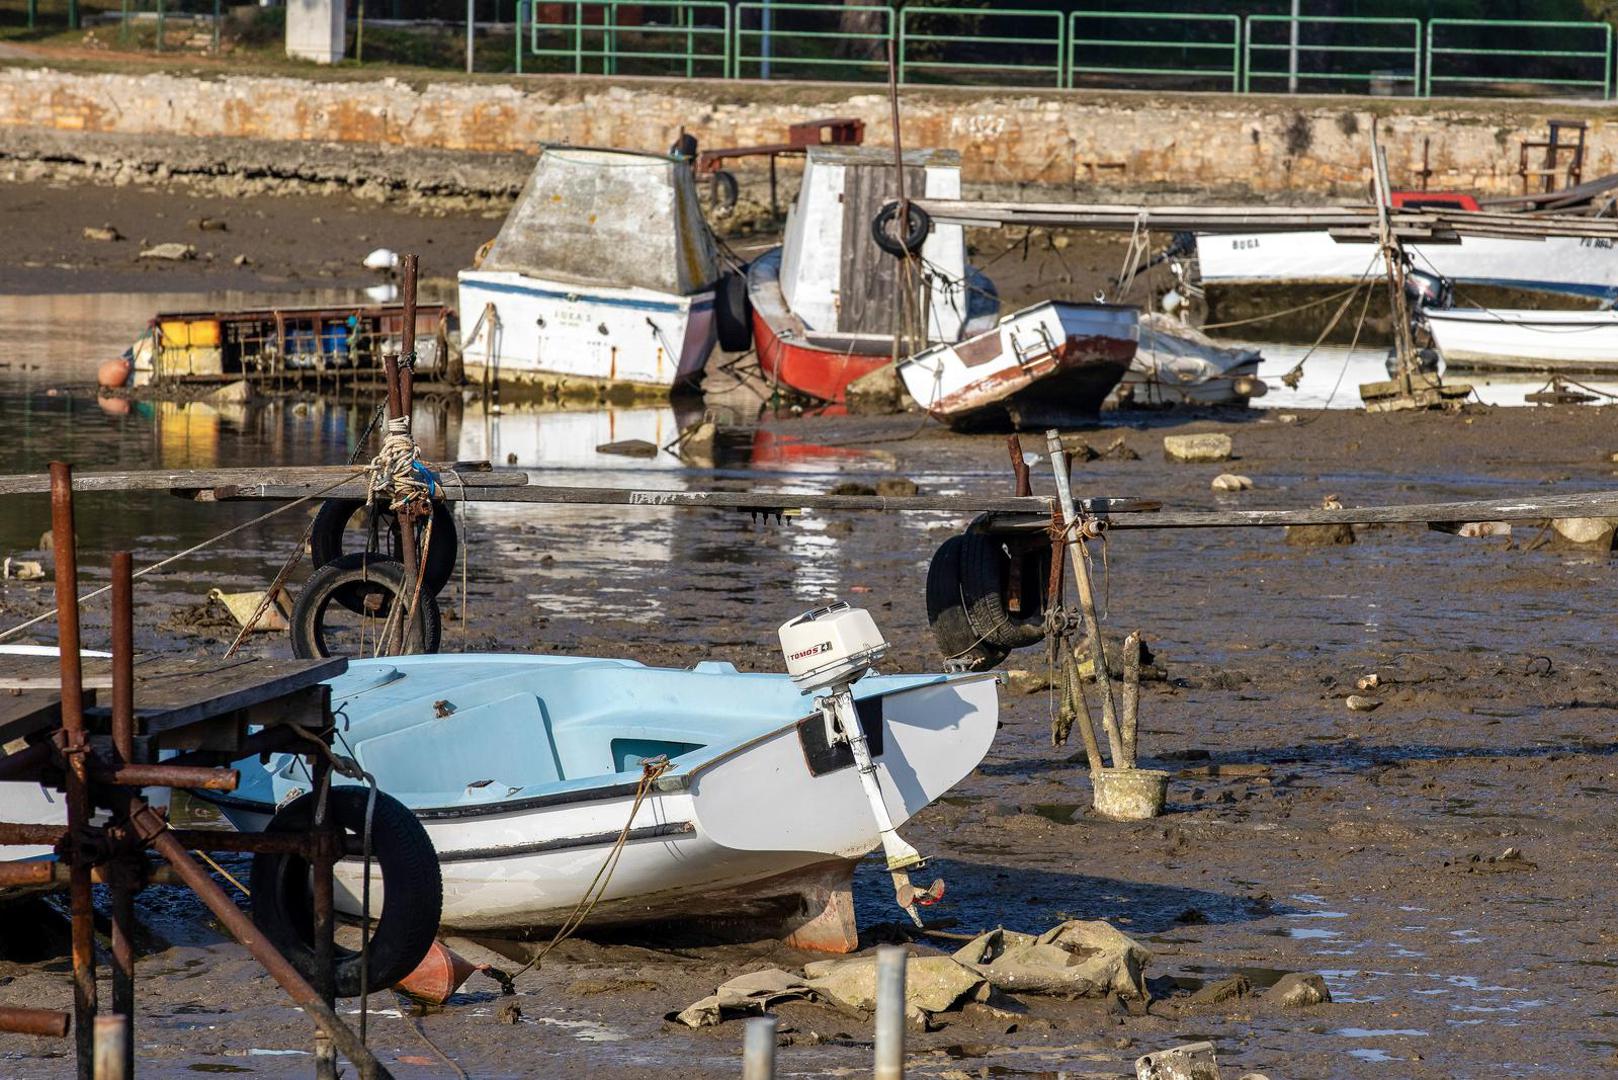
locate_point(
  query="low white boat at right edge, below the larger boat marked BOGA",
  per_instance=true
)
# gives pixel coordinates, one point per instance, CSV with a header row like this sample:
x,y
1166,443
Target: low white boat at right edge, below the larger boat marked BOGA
x,y
1501,339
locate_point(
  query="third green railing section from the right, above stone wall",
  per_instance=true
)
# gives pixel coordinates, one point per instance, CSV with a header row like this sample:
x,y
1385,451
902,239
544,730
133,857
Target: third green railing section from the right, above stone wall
x,y
1109,57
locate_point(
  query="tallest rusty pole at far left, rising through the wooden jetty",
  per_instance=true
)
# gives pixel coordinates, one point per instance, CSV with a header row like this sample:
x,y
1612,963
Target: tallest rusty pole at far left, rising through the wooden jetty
x,y
82,903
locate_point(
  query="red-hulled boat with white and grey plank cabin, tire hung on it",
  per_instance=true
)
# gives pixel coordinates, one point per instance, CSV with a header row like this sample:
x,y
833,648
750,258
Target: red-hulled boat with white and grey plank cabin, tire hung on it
x,y
823,304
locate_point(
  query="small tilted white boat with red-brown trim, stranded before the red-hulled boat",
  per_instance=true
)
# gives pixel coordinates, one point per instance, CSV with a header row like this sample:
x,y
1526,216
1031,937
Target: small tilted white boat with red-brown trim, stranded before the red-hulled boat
x,y
1053,364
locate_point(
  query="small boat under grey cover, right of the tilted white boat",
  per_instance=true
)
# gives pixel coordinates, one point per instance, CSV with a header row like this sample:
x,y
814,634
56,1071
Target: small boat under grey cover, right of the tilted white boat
x,y
1179,365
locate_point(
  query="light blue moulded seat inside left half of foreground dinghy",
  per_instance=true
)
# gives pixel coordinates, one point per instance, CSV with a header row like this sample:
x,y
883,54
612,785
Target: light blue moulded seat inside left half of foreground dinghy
x,y
507,741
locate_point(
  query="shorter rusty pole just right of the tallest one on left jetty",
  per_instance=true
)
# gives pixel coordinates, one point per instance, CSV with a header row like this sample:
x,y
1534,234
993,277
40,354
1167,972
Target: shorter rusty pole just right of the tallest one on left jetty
x,y
127,870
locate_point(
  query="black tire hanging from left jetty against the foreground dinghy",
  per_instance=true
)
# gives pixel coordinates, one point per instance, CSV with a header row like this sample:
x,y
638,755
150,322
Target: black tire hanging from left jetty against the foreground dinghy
x,y
412,891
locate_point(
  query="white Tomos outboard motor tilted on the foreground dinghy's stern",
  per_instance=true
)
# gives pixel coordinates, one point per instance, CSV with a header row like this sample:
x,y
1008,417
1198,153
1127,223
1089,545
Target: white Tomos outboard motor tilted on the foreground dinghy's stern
x,y
829,650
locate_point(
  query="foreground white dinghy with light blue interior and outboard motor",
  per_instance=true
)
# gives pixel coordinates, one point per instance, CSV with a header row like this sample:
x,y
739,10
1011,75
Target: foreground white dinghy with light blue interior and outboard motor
x,y
755,807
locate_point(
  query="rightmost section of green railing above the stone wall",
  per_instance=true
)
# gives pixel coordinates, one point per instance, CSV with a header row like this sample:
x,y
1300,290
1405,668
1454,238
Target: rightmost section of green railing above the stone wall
x,y
1460,54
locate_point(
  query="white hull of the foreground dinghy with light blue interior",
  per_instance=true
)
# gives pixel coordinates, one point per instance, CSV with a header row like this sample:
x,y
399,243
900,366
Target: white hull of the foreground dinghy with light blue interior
x,y
761,833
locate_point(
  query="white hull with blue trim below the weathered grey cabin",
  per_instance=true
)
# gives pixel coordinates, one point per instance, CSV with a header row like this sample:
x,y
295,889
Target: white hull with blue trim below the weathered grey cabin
x,y
527,330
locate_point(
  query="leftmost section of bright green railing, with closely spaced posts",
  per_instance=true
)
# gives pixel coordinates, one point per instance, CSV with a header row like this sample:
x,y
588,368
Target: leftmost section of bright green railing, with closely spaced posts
x,y
693,41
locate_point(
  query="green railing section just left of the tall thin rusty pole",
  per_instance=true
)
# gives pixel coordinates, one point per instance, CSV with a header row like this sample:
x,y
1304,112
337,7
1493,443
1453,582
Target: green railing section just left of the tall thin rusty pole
x,y
774,40
